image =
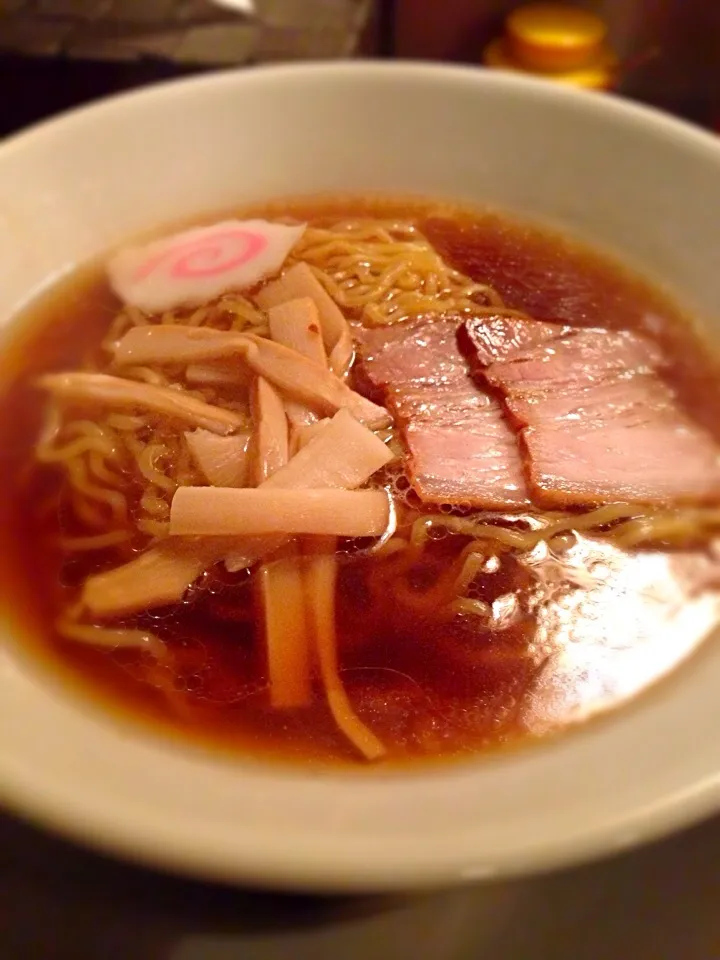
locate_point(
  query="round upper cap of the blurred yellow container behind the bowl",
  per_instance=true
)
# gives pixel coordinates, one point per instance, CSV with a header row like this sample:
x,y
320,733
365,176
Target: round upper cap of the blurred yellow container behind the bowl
x,y
554,37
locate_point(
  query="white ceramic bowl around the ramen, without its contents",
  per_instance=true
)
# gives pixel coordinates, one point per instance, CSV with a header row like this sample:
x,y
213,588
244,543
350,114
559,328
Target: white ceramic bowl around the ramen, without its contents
x,y
627,178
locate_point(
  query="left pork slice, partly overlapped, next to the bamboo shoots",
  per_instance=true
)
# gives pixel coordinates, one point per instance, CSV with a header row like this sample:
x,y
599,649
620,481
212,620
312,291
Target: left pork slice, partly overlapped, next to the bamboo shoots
x,y
461,448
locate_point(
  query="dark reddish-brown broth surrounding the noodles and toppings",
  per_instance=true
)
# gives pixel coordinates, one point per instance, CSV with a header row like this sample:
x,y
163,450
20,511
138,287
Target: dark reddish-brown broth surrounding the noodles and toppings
x,y
428,686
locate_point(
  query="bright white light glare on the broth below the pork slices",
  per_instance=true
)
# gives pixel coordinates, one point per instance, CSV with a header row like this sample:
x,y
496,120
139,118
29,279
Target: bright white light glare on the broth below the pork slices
x,y
605,643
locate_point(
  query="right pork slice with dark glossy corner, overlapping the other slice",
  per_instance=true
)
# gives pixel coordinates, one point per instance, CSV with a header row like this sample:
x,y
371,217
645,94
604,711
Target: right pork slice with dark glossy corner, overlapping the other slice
x,y
598,423
